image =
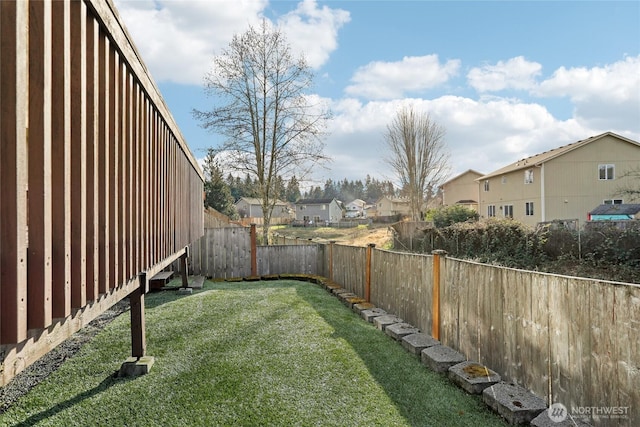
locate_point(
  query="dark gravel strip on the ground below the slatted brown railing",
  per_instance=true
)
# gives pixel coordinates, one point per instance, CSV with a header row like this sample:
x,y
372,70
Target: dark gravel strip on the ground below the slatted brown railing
x,y
43,367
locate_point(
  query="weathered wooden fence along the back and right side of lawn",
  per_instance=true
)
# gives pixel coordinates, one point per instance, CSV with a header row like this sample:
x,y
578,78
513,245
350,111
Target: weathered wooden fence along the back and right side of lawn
x,y
569,340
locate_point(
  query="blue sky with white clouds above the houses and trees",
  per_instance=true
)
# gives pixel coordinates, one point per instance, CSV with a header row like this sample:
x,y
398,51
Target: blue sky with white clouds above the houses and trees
x,y
505,79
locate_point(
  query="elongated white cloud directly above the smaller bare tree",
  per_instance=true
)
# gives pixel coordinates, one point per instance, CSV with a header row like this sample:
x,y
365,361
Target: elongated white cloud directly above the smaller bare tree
x,y
387,80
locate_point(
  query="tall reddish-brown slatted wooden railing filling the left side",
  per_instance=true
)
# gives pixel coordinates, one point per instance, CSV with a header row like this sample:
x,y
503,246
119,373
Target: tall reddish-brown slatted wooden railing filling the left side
x,y
98,184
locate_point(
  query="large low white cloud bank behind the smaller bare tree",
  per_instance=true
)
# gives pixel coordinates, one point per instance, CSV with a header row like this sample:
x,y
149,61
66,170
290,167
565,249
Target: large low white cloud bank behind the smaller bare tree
x,y
481,135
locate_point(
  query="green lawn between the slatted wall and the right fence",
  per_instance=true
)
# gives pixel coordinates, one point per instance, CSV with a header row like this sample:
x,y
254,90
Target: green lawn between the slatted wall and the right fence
x,y
250,354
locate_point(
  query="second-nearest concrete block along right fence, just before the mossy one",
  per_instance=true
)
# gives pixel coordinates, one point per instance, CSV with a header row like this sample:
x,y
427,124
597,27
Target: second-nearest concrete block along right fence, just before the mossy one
x,y
515,404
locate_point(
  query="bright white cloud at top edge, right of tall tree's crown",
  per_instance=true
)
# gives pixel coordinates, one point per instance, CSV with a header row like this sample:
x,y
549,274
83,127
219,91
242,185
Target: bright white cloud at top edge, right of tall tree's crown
x,y
313,30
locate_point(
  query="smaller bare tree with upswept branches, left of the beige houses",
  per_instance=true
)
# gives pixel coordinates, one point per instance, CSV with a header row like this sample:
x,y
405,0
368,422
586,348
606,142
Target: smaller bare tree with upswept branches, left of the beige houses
x,y
418,155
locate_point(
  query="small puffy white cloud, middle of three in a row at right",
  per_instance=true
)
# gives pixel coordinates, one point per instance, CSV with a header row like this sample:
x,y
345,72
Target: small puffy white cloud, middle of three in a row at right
x,y
515,73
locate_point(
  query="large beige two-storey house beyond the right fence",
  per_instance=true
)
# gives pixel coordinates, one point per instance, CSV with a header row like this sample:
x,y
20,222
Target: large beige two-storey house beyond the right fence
x,y
563,183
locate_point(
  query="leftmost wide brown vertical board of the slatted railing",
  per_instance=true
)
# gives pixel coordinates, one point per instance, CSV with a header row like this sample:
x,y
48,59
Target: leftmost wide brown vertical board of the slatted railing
x,y
14,173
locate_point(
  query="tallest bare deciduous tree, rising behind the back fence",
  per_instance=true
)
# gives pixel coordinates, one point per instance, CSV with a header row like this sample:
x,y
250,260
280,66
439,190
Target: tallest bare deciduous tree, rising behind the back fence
x,y
271,127
